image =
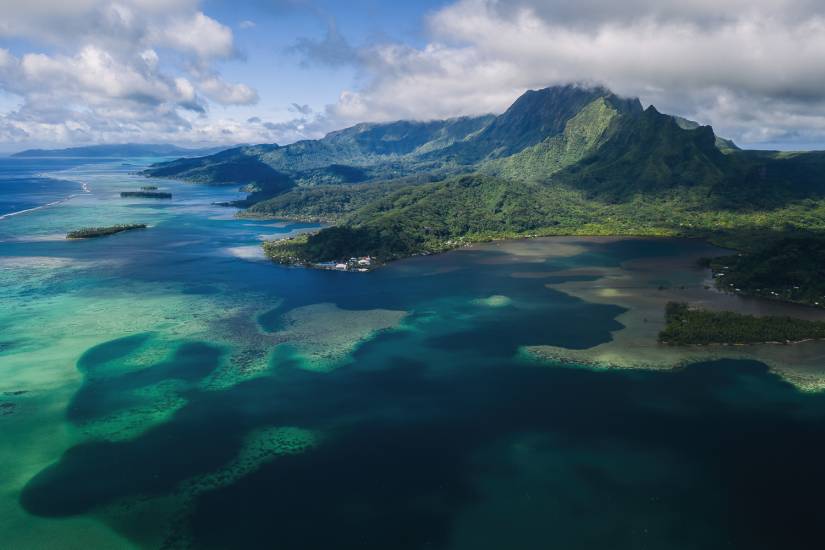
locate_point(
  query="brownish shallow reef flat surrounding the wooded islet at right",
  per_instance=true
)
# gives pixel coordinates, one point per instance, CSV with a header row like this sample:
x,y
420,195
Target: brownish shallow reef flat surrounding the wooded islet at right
x,y
634,286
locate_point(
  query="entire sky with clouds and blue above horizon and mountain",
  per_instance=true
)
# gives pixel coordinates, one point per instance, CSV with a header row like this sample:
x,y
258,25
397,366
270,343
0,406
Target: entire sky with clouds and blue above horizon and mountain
x,y
212,72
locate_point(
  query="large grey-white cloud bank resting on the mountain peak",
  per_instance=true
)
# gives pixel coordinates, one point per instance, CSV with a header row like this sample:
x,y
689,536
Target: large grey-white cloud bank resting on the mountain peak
x,y
753,68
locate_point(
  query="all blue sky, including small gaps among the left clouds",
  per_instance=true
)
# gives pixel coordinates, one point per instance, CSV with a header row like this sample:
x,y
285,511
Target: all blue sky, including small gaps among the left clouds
x,y
265,57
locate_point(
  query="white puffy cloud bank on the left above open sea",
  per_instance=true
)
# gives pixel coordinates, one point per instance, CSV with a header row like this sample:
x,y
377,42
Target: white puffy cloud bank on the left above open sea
x,y
116,71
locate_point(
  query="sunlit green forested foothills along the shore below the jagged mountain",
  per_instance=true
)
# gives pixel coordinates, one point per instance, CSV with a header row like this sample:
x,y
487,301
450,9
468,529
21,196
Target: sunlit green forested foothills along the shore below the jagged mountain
x,y
442,215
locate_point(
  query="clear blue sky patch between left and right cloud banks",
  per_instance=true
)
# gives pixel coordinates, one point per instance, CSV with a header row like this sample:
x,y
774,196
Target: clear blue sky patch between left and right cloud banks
x,y
282,76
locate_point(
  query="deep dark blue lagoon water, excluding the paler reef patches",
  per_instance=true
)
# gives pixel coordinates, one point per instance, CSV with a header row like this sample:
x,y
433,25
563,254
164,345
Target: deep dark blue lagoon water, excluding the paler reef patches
x,y
437,436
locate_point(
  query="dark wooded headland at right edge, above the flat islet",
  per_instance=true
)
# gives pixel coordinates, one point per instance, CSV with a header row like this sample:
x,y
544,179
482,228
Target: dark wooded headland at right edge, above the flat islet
x,y
790,269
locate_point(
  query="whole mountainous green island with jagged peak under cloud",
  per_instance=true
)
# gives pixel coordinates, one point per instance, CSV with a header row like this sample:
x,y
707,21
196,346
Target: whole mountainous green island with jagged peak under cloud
x,y
562,160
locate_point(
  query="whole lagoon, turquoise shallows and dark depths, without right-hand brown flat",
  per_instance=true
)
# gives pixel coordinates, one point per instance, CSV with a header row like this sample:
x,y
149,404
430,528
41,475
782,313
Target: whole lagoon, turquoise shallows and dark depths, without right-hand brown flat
x,y
167,388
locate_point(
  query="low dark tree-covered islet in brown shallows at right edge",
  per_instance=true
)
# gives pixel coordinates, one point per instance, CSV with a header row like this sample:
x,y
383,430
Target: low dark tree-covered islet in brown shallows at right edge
x,y
692,326
